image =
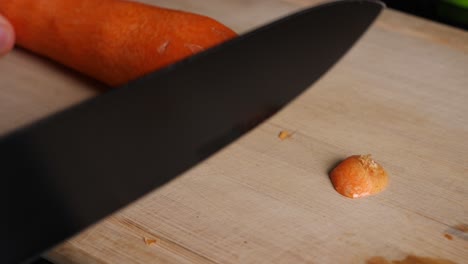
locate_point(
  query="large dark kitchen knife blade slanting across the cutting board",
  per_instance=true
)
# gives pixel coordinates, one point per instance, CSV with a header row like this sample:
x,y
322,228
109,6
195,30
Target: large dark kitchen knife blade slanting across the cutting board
x,y
69,170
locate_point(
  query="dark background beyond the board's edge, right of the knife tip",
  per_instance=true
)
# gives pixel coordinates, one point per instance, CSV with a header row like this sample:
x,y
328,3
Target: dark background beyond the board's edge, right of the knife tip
x,y
437,10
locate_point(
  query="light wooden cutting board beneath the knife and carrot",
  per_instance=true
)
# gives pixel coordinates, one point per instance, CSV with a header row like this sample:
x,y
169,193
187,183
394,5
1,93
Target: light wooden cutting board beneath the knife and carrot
x,y
401,94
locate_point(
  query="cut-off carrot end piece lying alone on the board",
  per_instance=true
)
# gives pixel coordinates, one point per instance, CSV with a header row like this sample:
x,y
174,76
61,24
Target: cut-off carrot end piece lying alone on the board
x,y
359,176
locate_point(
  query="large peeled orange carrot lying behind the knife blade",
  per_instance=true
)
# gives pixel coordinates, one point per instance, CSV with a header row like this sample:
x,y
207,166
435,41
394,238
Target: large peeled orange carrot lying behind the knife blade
x,y
113,41
